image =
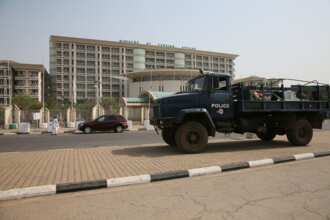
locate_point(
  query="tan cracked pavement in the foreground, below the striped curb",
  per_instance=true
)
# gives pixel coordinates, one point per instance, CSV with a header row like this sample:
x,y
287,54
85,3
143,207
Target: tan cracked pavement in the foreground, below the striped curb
x,y
298,190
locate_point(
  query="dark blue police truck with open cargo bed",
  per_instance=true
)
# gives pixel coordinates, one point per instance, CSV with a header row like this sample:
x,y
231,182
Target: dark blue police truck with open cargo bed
x,y
267,108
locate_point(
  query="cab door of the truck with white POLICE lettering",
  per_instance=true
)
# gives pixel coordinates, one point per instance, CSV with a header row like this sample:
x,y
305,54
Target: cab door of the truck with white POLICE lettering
x,y
220,101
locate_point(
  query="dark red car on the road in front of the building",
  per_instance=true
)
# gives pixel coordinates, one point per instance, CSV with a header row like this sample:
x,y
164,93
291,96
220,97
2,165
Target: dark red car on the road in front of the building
x,y
116,123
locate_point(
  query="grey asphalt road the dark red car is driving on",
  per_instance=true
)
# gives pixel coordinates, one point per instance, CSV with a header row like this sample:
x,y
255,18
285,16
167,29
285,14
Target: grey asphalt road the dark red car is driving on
x,y
13,143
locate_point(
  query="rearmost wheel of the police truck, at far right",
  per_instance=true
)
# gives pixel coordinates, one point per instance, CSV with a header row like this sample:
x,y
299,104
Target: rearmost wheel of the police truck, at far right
x,y
301,133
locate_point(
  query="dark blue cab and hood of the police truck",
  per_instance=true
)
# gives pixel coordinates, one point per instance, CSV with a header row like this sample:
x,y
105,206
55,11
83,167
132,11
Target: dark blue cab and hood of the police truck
x,y
207,102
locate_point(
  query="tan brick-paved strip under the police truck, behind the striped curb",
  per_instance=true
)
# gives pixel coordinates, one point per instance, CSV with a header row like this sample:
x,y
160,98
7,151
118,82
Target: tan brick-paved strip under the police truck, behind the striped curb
x,y
24,169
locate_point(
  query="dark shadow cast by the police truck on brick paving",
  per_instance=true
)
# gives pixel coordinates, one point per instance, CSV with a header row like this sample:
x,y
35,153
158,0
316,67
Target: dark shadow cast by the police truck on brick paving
x,y
158,151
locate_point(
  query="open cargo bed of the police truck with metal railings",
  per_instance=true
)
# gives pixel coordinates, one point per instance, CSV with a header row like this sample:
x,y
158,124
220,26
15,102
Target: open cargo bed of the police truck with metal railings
x,y
277,95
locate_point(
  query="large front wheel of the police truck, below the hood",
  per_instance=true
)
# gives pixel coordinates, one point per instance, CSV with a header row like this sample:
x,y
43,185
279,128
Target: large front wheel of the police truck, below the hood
x,y
191,137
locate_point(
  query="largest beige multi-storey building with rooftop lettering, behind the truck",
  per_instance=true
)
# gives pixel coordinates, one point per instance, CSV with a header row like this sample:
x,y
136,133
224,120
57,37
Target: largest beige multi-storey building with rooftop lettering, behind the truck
x,y
89,69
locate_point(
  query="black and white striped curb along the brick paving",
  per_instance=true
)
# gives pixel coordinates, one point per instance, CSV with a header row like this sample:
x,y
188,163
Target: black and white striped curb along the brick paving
x,y
147,178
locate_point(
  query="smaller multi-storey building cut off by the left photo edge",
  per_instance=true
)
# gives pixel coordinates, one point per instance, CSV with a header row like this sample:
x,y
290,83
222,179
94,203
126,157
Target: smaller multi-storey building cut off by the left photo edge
x,y
21,79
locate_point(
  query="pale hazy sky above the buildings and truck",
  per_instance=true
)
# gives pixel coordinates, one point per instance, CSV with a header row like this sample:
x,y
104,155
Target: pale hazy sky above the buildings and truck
x,y
278,38
